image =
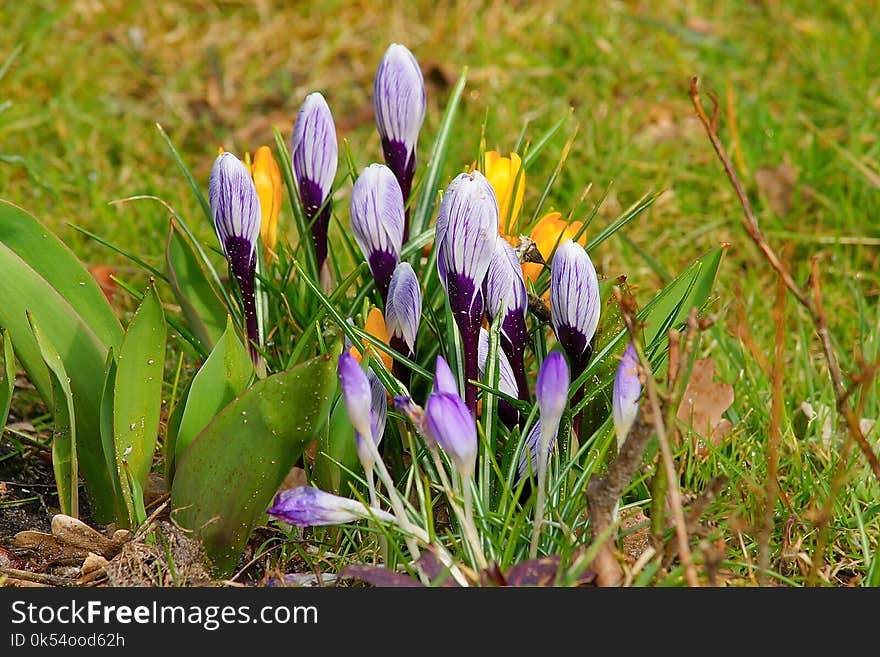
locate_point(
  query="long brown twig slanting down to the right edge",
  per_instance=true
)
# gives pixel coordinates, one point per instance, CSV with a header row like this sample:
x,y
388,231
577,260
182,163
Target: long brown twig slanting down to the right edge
x,y
812,304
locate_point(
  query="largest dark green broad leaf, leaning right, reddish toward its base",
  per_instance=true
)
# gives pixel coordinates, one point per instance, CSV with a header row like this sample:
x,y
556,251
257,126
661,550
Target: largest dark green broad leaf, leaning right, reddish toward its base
x,y
228,477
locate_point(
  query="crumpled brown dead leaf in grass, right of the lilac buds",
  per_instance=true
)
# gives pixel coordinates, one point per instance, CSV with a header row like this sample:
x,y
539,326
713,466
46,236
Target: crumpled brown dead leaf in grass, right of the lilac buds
x,y
704,403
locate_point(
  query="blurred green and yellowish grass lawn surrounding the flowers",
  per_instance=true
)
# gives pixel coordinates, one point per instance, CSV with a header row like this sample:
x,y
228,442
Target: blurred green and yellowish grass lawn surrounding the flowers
x,y
83,85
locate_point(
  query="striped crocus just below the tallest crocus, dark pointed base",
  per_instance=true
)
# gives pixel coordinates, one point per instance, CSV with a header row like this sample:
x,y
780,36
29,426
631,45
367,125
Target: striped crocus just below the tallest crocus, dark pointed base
x,y
377,222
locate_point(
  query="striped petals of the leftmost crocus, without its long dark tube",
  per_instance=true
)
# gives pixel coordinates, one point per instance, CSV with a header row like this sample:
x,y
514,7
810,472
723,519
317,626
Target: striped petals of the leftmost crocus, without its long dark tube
x,y
235,207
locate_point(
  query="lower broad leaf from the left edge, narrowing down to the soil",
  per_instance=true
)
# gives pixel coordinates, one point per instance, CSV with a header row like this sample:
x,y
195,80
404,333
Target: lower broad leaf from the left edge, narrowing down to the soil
x,y
83,353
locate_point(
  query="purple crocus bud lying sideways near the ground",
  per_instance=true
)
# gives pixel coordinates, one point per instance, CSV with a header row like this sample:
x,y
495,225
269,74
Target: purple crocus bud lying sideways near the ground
x,y
306,506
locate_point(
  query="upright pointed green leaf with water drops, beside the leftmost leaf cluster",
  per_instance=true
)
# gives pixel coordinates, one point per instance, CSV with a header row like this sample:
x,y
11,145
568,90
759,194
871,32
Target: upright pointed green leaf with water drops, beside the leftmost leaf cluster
x,y
137,395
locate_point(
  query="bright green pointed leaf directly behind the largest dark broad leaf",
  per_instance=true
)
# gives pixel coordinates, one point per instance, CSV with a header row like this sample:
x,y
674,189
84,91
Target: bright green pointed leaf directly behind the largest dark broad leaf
x,y
222,377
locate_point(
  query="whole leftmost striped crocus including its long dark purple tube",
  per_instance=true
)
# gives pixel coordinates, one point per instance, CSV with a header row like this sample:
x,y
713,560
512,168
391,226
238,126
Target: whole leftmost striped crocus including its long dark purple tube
x,y
235,208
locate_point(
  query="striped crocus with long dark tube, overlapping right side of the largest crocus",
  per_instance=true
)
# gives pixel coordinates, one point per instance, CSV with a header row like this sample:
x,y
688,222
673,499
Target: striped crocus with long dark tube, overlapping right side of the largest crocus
x,y
505,292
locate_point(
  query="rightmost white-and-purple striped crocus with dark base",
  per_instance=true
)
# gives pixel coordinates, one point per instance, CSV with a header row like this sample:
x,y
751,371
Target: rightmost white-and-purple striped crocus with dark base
x,y
574,302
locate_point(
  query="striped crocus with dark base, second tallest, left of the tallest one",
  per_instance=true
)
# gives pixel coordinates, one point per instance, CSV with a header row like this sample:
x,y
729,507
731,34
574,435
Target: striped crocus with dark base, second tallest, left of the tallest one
x,y
315,152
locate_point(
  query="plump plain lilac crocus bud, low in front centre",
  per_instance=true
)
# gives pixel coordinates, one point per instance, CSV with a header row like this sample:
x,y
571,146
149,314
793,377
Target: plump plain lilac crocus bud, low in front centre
x,y
451,424
